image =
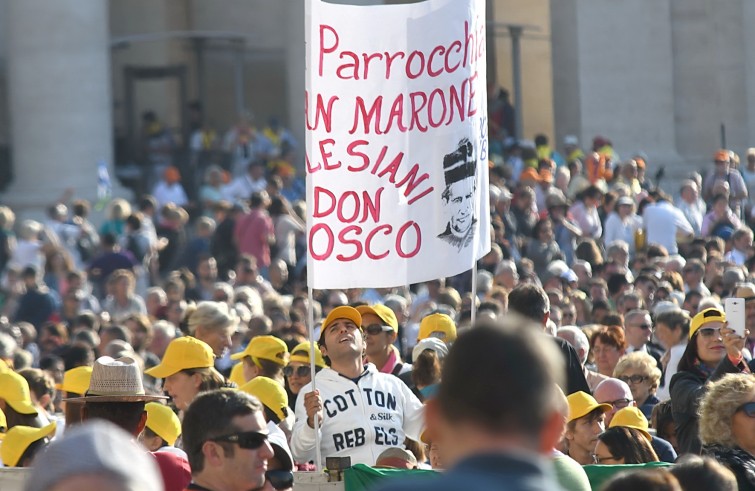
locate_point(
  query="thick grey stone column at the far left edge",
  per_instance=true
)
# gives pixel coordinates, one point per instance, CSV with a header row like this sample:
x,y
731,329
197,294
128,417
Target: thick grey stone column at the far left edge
x,y
59,95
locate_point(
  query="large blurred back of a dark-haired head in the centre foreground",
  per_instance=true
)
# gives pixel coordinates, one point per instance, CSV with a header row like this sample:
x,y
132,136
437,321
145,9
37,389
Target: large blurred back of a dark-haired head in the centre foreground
x,y
520,405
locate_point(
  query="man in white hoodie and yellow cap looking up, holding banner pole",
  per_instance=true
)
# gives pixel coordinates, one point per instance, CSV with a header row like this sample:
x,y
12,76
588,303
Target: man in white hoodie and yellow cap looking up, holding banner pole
x,y
360,411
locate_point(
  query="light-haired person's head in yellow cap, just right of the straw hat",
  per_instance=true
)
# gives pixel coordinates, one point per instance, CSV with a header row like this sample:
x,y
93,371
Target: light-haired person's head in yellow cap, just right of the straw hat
x,y
188,369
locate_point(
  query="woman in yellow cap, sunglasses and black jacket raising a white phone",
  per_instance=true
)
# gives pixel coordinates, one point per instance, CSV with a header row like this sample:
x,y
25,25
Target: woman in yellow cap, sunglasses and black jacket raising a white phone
x,y
712,351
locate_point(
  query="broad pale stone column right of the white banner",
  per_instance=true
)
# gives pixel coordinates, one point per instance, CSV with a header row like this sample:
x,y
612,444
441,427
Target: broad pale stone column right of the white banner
x,y
620,54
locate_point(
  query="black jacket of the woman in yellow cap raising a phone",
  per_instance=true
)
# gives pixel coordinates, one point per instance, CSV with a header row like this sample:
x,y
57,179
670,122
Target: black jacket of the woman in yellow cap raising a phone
x,y
687,389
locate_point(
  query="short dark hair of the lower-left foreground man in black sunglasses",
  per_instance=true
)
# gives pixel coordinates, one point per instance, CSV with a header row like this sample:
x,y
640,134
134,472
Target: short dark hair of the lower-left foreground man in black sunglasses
x,y
211,415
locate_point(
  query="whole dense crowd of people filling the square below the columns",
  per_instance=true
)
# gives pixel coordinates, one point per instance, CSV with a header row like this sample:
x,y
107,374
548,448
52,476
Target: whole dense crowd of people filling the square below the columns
x,y
600,338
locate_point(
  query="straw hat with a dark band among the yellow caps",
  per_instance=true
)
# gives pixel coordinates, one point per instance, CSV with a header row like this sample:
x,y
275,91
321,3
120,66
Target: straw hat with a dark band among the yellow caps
x,y
116,380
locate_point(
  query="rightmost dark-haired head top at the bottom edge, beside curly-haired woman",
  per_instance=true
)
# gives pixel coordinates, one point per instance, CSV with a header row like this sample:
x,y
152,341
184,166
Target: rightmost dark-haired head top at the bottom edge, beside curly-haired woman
x,y
696,473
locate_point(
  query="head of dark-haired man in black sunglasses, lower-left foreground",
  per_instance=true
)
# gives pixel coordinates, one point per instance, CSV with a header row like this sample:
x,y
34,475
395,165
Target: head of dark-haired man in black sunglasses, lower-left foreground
x,y
226,439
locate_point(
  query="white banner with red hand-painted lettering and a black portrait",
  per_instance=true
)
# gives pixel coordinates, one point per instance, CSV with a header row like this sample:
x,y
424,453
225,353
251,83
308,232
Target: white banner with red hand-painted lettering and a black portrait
x,y
397,164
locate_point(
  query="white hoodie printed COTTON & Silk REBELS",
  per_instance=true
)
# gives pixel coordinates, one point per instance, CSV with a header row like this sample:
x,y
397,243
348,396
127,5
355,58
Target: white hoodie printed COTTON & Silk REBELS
x,y
360,419
